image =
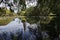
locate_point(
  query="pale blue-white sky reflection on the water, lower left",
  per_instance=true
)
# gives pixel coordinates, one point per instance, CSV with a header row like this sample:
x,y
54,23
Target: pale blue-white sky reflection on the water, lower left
x,y
15,31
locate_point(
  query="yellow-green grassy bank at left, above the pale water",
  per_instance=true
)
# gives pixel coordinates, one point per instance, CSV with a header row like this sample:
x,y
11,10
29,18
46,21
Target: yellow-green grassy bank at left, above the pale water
x,y
6,19
